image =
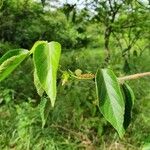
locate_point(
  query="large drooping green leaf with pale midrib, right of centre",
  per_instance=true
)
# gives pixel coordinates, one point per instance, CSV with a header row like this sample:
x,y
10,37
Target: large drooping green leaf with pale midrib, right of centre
x,y
111,102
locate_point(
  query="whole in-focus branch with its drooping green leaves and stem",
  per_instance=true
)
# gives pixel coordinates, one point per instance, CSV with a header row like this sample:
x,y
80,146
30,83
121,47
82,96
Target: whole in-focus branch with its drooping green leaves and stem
x,y
114,95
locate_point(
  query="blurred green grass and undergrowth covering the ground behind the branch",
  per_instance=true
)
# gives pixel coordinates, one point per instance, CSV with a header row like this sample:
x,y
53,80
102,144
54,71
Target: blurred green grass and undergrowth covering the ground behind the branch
x,y
75,123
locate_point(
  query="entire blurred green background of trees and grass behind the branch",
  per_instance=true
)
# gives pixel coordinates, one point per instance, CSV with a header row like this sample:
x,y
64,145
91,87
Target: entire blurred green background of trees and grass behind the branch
x,y
88,35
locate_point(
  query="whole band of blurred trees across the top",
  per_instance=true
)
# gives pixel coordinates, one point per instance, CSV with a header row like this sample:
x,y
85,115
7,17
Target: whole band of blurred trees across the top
x,y
123,22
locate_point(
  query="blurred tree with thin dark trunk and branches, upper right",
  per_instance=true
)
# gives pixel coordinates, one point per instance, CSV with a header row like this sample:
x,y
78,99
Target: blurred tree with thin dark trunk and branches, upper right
x,y
125,21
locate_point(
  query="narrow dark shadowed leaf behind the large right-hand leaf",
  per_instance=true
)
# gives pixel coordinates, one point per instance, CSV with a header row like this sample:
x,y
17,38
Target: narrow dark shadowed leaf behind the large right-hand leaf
x,y
129,101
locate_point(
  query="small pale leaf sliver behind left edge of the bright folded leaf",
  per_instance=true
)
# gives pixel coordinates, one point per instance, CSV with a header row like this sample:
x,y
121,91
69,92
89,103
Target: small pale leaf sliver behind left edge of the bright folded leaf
x,y
37,84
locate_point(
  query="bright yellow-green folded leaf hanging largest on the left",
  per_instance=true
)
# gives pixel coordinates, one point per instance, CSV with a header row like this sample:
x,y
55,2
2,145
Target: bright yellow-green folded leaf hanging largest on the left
x,y
46,60
